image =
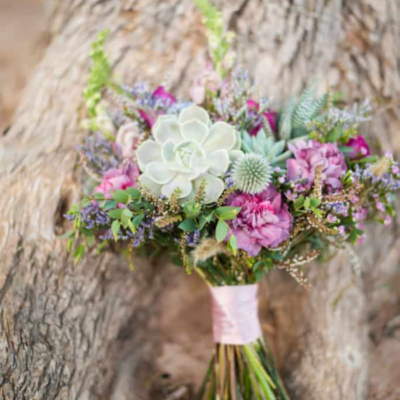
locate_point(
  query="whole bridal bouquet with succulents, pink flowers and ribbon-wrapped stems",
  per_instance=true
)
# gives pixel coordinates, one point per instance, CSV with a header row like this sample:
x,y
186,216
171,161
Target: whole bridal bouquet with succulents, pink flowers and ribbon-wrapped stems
x,y
230,188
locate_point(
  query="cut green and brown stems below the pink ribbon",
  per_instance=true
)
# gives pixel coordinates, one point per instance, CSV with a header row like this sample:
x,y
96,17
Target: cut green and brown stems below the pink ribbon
x,y
245,372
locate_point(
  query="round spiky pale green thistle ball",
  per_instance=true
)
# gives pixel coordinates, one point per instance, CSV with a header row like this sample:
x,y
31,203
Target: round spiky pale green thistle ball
x,y
252,173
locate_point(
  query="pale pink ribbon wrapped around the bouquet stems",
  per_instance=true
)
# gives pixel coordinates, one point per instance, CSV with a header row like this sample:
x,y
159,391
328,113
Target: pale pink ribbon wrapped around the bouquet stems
x,y
235,314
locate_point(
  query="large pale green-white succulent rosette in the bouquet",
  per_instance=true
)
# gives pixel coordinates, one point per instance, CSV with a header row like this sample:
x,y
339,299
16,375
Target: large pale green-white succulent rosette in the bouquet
x,y
187,151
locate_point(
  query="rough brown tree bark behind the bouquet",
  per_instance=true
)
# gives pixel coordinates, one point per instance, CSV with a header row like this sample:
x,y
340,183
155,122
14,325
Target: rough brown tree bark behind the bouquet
x,y
99,331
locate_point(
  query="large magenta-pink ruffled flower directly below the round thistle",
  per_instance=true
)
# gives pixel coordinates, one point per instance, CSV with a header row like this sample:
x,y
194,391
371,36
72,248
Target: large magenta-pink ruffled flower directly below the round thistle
x,y
262,222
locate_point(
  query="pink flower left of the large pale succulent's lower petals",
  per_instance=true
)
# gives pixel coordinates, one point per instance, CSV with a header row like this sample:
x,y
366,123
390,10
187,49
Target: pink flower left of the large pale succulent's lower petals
x,y
118,179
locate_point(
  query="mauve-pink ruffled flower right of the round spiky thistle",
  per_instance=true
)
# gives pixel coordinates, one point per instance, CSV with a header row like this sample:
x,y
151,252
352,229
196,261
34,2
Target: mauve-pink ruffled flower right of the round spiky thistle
x,y
308,155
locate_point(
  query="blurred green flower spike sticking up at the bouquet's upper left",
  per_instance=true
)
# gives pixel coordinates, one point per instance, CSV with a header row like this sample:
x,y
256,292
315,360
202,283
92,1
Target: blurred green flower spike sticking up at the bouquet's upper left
x,y
99,75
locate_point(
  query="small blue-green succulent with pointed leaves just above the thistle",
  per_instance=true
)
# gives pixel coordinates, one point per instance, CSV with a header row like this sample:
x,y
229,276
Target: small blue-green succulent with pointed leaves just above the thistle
x,y
267,146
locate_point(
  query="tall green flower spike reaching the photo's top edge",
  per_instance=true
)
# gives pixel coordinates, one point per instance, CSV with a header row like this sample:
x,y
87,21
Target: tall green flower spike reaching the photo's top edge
x,y
219,41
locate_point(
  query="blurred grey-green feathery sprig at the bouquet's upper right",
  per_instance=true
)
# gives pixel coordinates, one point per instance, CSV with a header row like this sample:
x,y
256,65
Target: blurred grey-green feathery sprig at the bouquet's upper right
x,y
296,115
